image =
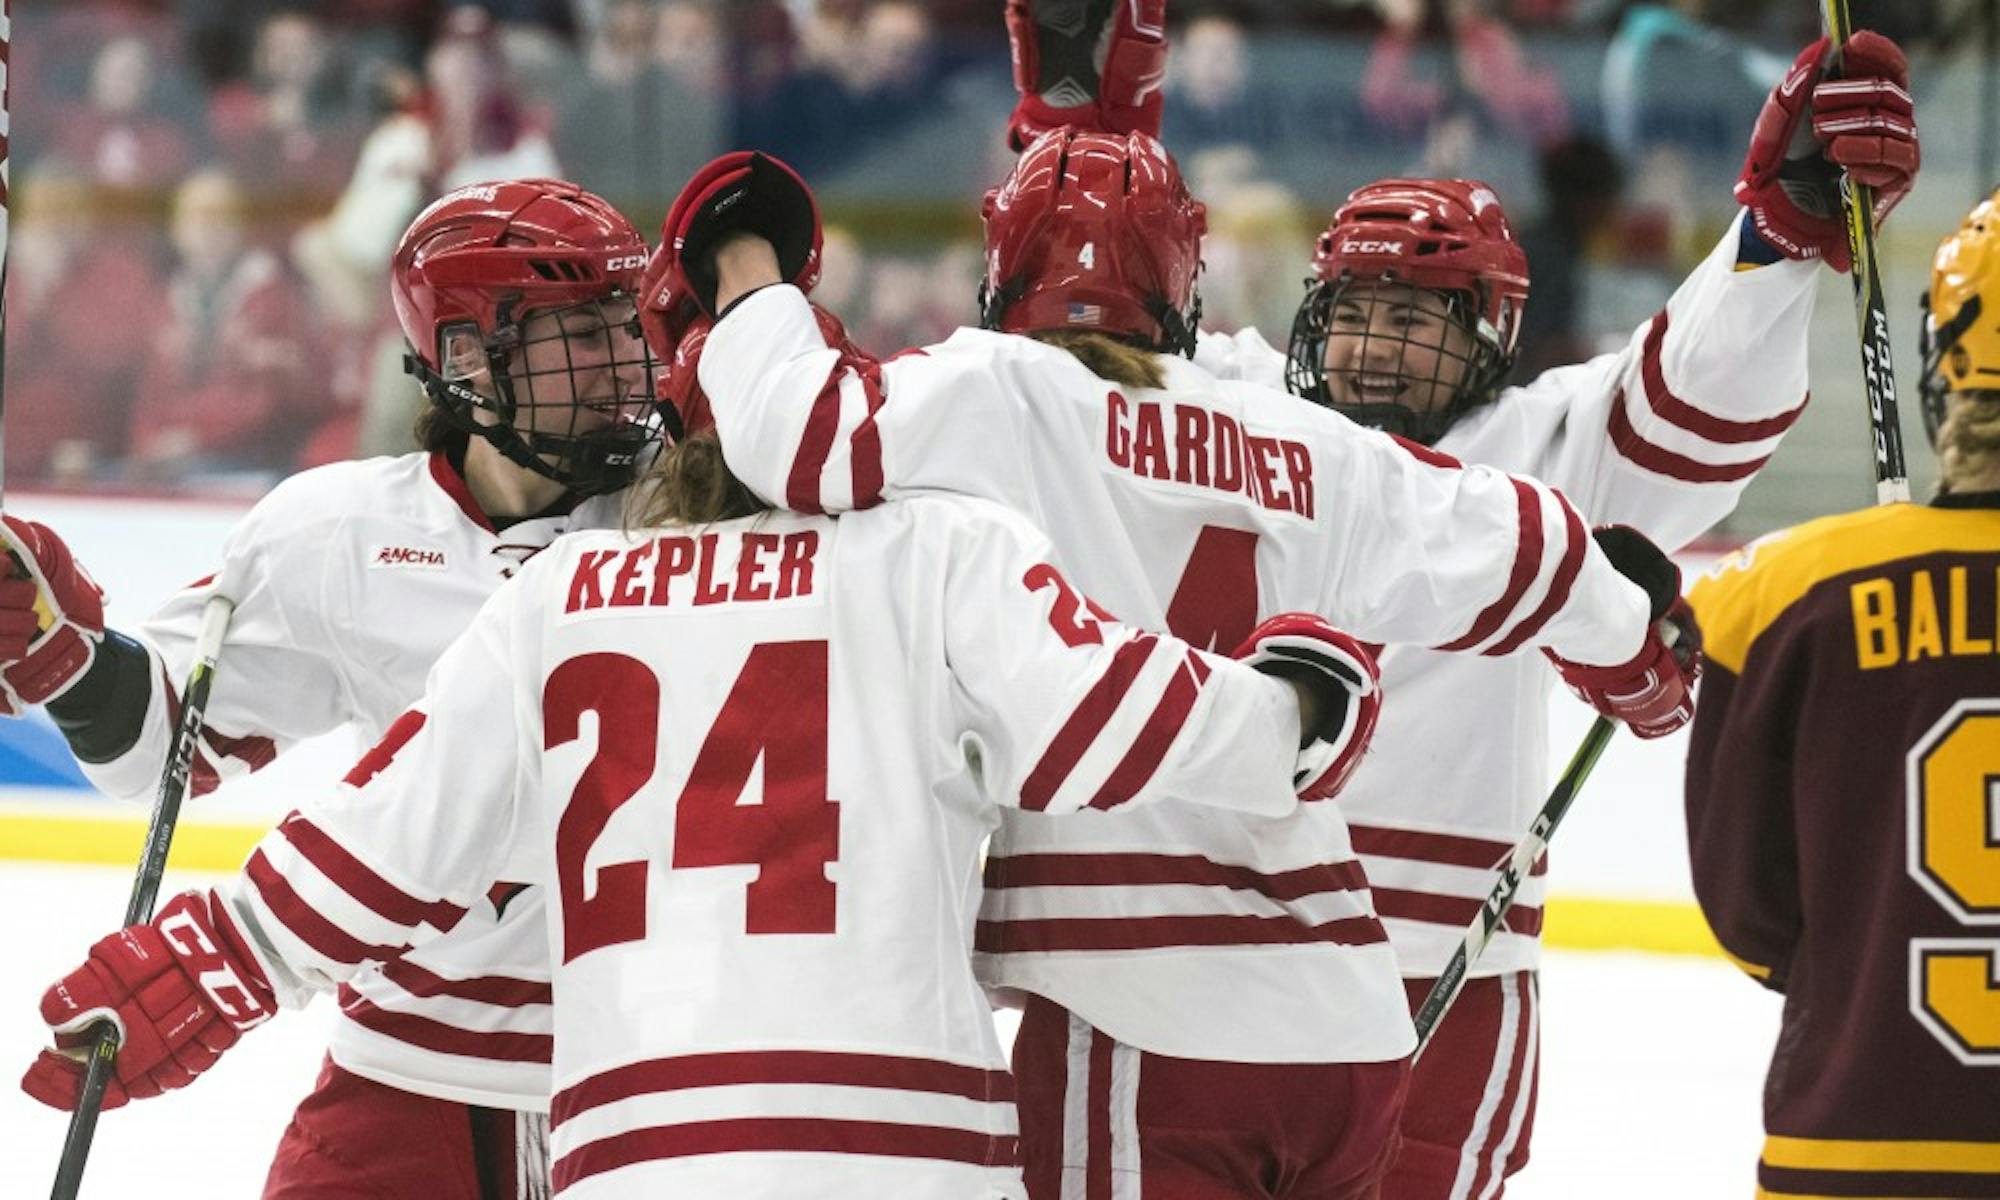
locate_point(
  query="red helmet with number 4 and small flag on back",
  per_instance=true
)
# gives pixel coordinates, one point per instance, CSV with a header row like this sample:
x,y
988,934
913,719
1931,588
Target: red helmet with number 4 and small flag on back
x,y
1095,233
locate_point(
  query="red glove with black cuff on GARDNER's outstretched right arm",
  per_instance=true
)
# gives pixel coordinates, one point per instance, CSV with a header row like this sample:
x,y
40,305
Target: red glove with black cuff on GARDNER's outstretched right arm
x,y
1655,691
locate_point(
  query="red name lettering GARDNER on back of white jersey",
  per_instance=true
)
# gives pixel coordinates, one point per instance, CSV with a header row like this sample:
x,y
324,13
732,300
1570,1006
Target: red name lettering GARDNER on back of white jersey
x,y
1209,451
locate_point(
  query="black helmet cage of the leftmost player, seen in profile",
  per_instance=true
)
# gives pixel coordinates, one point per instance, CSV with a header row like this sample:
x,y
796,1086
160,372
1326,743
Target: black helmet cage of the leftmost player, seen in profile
x,y
589,463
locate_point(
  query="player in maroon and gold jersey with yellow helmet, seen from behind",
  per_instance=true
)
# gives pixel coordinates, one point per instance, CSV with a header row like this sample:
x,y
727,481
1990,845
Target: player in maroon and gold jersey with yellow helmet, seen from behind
x,y
1841,795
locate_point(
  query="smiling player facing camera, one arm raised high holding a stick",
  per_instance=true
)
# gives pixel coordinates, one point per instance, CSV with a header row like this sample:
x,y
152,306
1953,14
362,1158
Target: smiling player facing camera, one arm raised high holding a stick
x,y
1411,325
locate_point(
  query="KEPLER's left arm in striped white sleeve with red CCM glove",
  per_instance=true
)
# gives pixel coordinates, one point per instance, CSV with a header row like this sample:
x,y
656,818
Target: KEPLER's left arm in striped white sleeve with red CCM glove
x,y
391,859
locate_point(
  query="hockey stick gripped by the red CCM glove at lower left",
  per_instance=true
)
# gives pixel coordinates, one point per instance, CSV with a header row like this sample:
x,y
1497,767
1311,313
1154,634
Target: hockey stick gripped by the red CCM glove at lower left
x,y
147,887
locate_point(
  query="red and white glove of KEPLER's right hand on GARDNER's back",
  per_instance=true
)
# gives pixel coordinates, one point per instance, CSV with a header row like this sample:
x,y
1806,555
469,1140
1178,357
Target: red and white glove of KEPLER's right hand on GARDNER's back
x,y
1343,671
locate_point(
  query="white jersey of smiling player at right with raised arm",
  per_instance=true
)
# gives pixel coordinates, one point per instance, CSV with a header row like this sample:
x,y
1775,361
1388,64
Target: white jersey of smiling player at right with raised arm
x,y
1663,435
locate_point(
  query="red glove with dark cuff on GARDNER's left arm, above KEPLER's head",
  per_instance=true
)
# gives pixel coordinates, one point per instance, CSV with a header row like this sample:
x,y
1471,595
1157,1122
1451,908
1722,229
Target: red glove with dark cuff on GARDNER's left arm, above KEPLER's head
x,y
739,193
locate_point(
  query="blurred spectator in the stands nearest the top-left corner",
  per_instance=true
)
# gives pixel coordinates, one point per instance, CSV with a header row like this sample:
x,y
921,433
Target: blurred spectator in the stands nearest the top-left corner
x,y
117,135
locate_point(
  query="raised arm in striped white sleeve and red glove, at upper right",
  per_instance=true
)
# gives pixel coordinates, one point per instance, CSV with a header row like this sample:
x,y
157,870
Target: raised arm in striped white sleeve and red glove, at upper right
x,y
1699,399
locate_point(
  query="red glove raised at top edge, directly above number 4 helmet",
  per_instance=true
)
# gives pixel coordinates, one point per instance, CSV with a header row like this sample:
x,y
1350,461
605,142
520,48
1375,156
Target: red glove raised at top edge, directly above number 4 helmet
x,y
1073,71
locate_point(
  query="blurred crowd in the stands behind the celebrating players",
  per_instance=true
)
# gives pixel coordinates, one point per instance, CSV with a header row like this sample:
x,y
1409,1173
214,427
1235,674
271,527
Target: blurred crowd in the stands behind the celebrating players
x,y
207,191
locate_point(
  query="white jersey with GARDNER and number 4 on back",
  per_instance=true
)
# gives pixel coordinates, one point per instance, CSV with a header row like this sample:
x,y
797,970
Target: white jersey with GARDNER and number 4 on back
x,y
1199,509
